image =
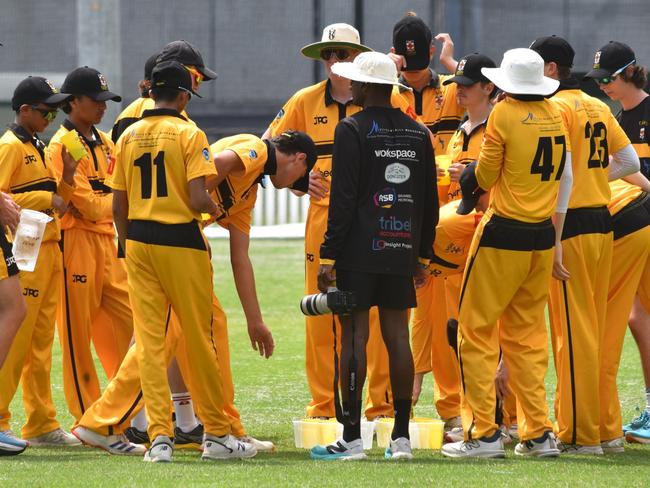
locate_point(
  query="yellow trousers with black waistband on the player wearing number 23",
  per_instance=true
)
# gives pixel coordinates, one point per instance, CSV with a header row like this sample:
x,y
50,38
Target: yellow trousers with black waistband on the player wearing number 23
x,y
577,309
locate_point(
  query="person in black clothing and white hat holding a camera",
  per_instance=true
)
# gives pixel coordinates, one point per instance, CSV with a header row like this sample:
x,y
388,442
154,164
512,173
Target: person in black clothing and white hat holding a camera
x,y
381,226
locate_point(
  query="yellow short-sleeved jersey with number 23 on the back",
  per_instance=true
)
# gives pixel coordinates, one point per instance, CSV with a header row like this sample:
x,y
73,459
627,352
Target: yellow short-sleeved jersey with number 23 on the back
x,y
594,134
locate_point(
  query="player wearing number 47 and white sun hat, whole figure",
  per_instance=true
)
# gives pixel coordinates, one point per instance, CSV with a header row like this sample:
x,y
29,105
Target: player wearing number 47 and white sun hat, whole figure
x,y
511,259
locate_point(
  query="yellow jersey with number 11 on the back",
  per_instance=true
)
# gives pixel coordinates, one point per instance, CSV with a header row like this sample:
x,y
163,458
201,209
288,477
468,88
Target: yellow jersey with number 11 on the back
x,y
156,158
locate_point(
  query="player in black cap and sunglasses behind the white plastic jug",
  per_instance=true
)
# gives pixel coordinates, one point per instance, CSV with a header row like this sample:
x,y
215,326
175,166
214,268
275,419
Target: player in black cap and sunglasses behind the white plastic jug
x,y
27,175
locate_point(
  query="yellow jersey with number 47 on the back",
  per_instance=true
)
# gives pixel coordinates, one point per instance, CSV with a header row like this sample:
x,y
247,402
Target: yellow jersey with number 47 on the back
x,y
522,158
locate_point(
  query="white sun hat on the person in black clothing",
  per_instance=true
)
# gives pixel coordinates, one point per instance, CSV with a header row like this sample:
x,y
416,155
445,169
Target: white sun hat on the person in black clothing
x,y
372,67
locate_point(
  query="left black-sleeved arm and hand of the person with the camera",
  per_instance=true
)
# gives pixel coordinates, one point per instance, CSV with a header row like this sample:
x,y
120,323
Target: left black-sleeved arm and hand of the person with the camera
x,y
346,165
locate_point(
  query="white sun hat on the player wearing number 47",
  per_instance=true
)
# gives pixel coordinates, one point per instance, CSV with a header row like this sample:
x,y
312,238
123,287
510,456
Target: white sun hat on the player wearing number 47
x,y
521,73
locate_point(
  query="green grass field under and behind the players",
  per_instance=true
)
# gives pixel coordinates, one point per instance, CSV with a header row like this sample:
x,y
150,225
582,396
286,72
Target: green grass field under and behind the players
x,y
270,393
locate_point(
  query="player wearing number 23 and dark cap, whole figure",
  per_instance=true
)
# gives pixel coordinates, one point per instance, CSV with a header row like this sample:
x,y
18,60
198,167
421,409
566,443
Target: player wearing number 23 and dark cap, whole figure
x,y
578,306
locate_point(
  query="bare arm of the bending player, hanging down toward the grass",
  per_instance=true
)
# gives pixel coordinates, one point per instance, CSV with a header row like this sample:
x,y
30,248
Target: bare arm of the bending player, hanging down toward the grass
x,y
242,268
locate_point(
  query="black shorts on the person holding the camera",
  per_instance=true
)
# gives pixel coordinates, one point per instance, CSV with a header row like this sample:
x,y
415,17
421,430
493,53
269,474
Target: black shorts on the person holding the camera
x,y
382,290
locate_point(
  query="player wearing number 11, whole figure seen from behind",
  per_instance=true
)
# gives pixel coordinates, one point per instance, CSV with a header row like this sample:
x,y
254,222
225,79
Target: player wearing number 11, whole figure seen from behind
x,y
159,186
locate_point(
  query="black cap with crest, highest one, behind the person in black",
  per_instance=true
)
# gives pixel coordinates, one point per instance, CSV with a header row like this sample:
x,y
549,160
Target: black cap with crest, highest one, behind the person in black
x,y
412,39
